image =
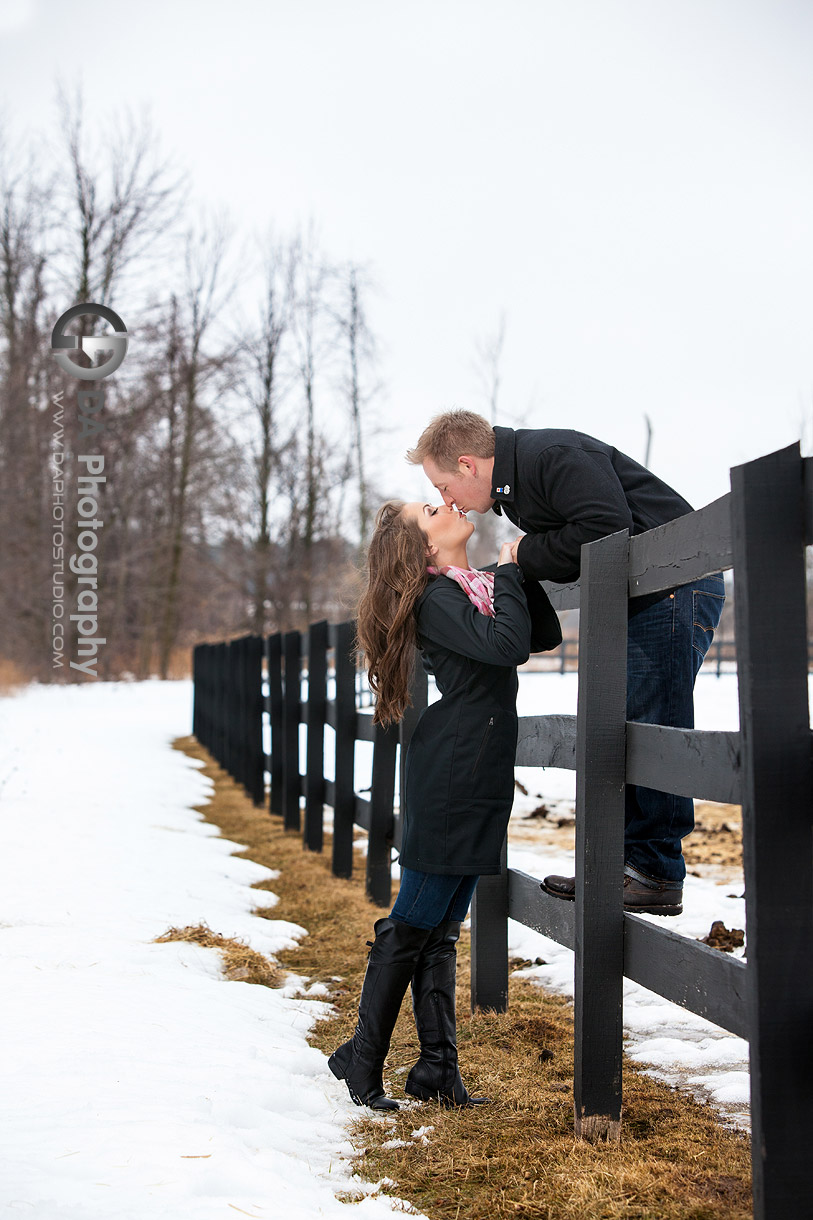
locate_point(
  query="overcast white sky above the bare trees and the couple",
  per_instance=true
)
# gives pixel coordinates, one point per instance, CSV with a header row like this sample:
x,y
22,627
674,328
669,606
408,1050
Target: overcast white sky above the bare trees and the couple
x,y
632,181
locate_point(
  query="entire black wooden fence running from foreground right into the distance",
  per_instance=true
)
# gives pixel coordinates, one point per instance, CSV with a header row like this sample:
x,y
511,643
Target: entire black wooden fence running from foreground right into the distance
x,y
761,531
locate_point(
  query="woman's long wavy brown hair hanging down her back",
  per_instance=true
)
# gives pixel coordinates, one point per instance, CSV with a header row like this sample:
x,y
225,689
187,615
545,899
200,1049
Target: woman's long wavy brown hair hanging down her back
x,y
386,626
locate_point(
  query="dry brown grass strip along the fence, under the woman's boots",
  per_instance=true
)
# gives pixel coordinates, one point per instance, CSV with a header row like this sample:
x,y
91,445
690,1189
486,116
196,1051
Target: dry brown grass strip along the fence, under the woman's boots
x,y
518,1156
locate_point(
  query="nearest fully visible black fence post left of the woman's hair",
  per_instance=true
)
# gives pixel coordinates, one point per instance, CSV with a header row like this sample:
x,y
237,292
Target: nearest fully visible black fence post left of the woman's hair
x,y
345,766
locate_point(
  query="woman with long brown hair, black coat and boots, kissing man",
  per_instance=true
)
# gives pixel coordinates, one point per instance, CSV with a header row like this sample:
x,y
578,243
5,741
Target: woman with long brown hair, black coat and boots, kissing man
x,y
473,629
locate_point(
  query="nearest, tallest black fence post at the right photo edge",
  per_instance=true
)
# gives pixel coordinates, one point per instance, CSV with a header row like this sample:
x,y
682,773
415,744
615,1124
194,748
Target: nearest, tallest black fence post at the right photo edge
x,y
770,562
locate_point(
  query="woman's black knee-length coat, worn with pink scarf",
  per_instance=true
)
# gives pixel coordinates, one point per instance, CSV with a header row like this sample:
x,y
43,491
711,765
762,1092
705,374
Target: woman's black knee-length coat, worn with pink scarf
x,y
460,770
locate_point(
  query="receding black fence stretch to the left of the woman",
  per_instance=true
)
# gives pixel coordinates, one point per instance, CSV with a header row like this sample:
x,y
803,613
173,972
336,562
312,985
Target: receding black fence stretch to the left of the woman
x,y
231,713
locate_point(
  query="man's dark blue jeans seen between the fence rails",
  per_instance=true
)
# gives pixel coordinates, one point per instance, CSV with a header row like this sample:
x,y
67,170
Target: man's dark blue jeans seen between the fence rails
x,y
667,642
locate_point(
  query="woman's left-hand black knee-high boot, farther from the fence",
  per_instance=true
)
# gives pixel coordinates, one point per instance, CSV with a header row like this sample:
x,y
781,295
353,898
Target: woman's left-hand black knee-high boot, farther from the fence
x,y
391,964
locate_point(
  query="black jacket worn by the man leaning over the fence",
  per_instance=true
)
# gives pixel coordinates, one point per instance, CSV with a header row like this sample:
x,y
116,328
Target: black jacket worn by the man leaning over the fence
x,y
565,489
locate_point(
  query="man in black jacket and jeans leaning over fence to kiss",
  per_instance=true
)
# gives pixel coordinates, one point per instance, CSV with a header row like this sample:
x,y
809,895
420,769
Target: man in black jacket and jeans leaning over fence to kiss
x,y
565,489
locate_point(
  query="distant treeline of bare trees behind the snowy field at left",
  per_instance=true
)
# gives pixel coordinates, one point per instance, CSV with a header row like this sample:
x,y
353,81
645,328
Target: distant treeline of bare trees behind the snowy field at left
x,y
235,435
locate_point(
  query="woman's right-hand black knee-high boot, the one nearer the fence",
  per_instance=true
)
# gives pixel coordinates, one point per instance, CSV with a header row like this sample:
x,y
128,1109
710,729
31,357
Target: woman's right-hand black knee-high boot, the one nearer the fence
x,y
436,1077
